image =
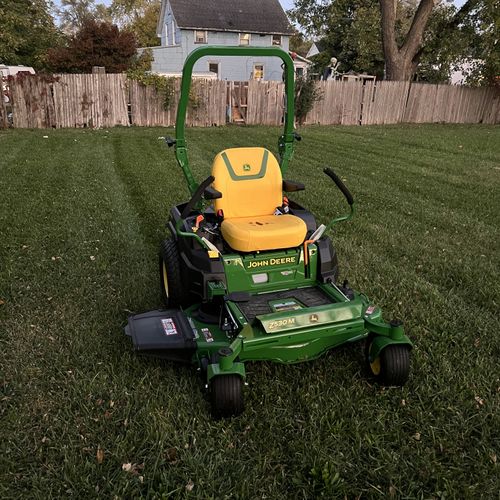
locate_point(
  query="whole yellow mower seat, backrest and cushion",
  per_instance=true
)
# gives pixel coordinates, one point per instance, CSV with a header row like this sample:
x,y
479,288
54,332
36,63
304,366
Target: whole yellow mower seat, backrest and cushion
x,y
251,185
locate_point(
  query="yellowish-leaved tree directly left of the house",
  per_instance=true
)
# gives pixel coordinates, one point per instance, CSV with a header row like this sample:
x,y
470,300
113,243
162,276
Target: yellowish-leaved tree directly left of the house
x,y
140,17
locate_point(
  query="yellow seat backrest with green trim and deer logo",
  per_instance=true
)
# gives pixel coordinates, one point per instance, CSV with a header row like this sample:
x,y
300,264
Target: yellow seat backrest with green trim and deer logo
x,y
250,182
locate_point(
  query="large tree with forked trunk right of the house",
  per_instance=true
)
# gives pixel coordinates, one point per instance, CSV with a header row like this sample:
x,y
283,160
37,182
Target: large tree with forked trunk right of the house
x,y
395,39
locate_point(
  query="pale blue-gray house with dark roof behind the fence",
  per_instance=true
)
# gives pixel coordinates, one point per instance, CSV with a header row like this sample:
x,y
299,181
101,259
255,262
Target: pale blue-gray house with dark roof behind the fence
x,y
184,25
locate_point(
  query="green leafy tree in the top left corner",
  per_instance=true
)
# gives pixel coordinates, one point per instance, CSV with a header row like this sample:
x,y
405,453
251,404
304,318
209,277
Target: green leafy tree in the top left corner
x,y
27,30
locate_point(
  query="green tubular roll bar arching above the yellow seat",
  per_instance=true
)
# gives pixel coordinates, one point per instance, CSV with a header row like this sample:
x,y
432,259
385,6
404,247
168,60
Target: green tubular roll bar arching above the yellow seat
x,y
285,144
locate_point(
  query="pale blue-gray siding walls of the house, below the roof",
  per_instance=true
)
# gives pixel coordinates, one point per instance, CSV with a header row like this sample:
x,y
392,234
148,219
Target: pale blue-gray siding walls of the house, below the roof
x,y
170,60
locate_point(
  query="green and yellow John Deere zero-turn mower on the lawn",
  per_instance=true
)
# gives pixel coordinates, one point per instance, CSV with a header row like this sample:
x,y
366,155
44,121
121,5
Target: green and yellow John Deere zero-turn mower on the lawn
x,y
248,274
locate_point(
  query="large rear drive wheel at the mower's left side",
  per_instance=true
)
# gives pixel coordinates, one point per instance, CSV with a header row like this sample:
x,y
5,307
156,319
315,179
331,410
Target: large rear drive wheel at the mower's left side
x,y
173,289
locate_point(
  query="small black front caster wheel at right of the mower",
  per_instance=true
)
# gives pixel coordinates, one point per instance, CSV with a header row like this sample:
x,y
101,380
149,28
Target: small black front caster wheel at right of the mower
x,y
392,367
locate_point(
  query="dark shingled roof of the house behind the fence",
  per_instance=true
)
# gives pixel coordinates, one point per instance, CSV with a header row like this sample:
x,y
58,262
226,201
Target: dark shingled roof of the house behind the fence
x,y
245,16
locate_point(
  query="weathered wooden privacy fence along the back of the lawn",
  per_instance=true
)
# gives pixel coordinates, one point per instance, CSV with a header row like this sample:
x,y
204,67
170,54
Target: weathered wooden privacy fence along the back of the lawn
x,y
105,100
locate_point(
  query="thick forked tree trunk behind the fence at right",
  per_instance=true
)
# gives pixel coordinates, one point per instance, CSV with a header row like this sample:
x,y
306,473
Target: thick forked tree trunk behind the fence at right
x,y
401,62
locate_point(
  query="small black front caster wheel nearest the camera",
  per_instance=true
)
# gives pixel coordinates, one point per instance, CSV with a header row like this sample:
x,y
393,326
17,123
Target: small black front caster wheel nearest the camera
x,y
226,394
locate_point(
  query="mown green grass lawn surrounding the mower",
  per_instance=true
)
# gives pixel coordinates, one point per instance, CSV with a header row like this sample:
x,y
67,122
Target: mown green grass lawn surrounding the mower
x,y
82,214
